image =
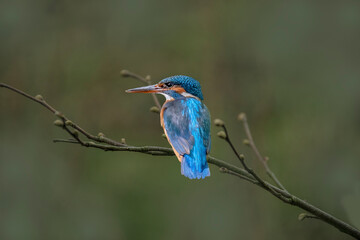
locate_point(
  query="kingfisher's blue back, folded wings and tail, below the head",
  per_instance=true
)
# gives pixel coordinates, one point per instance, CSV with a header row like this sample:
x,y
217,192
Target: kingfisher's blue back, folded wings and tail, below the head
x,y
187,126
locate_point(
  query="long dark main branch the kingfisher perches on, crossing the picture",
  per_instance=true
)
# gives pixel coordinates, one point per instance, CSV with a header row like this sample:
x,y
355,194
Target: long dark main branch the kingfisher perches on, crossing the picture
x,y
247,174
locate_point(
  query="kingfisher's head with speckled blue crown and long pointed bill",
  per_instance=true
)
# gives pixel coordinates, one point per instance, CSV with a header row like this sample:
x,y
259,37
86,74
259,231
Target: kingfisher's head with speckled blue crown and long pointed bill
x,y
173,87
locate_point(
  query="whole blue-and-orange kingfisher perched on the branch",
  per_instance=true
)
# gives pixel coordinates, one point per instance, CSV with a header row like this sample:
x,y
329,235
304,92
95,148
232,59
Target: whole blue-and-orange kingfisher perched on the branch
x,y
186,122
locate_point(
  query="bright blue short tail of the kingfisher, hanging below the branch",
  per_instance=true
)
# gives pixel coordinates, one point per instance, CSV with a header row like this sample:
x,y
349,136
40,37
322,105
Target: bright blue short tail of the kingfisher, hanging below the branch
x,y
194,168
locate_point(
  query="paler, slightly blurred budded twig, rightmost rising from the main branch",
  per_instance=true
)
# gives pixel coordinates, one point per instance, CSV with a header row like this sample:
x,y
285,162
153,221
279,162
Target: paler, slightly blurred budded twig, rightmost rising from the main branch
x,y
242,117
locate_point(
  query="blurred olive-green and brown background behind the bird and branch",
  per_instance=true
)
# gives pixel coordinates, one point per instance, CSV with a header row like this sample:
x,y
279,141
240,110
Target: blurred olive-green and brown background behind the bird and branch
x,y
292,66
